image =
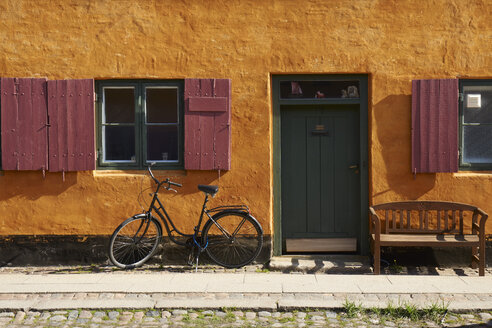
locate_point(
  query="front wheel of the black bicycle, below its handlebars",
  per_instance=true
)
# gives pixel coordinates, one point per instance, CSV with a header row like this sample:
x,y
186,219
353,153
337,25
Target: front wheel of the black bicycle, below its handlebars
x,y
134,241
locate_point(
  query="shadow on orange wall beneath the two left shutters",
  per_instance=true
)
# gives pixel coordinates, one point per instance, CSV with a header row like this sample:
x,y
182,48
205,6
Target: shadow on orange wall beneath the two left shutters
x,y
32,185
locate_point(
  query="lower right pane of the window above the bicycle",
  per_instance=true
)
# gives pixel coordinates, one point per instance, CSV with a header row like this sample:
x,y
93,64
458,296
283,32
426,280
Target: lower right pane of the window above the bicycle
x,y
162,143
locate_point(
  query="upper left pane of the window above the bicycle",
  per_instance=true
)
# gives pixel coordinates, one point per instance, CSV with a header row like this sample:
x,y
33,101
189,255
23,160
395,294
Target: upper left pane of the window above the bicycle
x,y
119,105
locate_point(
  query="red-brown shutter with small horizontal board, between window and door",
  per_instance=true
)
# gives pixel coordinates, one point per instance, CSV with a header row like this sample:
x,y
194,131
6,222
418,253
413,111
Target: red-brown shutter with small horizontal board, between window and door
x,y
207,124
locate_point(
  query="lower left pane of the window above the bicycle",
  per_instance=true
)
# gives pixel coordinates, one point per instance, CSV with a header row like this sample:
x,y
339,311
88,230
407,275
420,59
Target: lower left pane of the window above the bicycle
x,y
119,143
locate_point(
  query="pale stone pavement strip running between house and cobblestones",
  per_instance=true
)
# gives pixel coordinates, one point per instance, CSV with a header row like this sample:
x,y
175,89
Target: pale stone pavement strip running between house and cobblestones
x,y
245,290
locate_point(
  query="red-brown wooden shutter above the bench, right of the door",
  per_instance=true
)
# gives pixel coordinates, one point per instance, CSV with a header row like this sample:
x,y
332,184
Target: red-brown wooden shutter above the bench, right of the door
x,y
435,126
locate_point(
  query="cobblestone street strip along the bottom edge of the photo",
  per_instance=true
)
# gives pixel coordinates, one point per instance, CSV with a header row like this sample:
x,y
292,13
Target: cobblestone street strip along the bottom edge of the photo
x,y
234,318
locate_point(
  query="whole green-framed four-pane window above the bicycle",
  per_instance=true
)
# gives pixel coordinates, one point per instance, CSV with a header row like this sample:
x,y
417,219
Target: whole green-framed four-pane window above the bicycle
x,y
140,122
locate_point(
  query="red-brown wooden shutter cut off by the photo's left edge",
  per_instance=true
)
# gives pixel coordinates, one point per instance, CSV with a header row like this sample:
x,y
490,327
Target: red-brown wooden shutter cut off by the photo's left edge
x,y
24,124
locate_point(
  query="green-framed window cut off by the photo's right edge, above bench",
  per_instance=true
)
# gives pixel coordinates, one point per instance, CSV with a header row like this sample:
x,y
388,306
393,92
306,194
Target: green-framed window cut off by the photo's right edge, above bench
x,y
475,125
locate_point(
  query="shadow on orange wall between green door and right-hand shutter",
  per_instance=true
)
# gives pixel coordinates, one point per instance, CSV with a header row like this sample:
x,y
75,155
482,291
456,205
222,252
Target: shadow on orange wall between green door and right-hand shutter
x,y
392,120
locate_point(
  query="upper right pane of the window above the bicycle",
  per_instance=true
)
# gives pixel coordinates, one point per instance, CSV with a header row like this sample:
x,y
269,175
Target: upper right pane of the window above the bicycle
x,y
162,105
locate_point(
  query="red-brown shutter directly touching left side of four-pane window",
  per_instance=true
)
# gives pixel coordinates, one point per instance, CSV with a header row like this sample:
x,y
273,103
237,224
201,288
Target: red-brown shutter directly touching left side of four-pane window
x,y
71,118
